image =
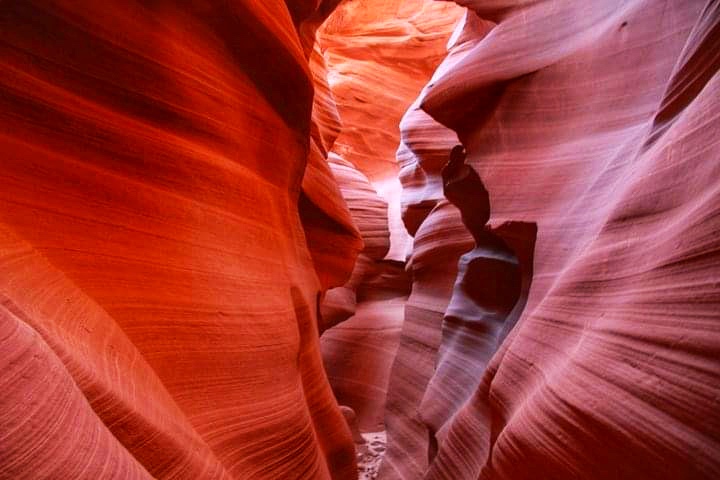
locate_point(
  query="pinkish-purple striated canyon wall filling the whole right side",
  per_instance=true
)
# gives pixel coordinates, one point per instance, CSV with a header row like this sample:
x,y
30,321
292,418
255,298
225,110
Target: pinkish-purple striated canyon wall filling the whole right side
x,y
593,126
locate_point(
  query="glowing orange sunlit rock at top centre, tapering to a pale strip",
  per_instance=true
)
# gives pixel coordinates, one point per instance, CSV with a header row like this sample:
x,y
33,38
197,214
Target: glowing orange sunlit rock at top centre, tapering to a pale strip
x,y
379,54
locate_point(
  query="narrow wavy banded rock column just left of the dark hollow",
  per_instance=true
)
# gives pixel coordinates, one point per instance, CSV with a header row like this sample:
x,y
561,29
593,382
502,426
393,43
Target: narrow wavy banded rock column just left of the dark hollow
x,y
439,240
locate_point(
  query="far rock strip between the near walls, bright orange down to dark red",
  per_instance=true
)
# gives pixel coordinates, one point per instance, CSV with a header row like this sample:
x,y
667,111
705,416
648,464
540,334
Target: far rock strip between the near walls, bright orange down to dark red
x,y
379,53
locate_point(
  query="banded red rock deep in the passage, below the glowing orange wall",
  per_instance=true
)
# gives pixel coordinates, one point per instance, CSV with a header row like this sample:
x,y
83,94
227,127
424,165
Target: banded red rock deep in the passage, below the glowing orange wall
x,y
358,352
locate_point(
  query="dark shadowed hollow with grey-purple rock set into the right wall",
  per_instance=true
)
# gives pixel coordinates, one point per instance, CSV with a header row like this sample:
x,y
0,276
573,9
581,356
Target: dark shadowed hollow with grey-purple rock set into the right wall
x,y
489,295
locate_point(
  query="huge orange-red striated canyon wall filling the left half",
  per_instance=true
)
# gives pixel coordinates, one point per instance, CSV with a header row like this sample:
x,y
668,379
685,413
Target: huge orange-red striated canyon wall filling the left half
x,y
160,269
